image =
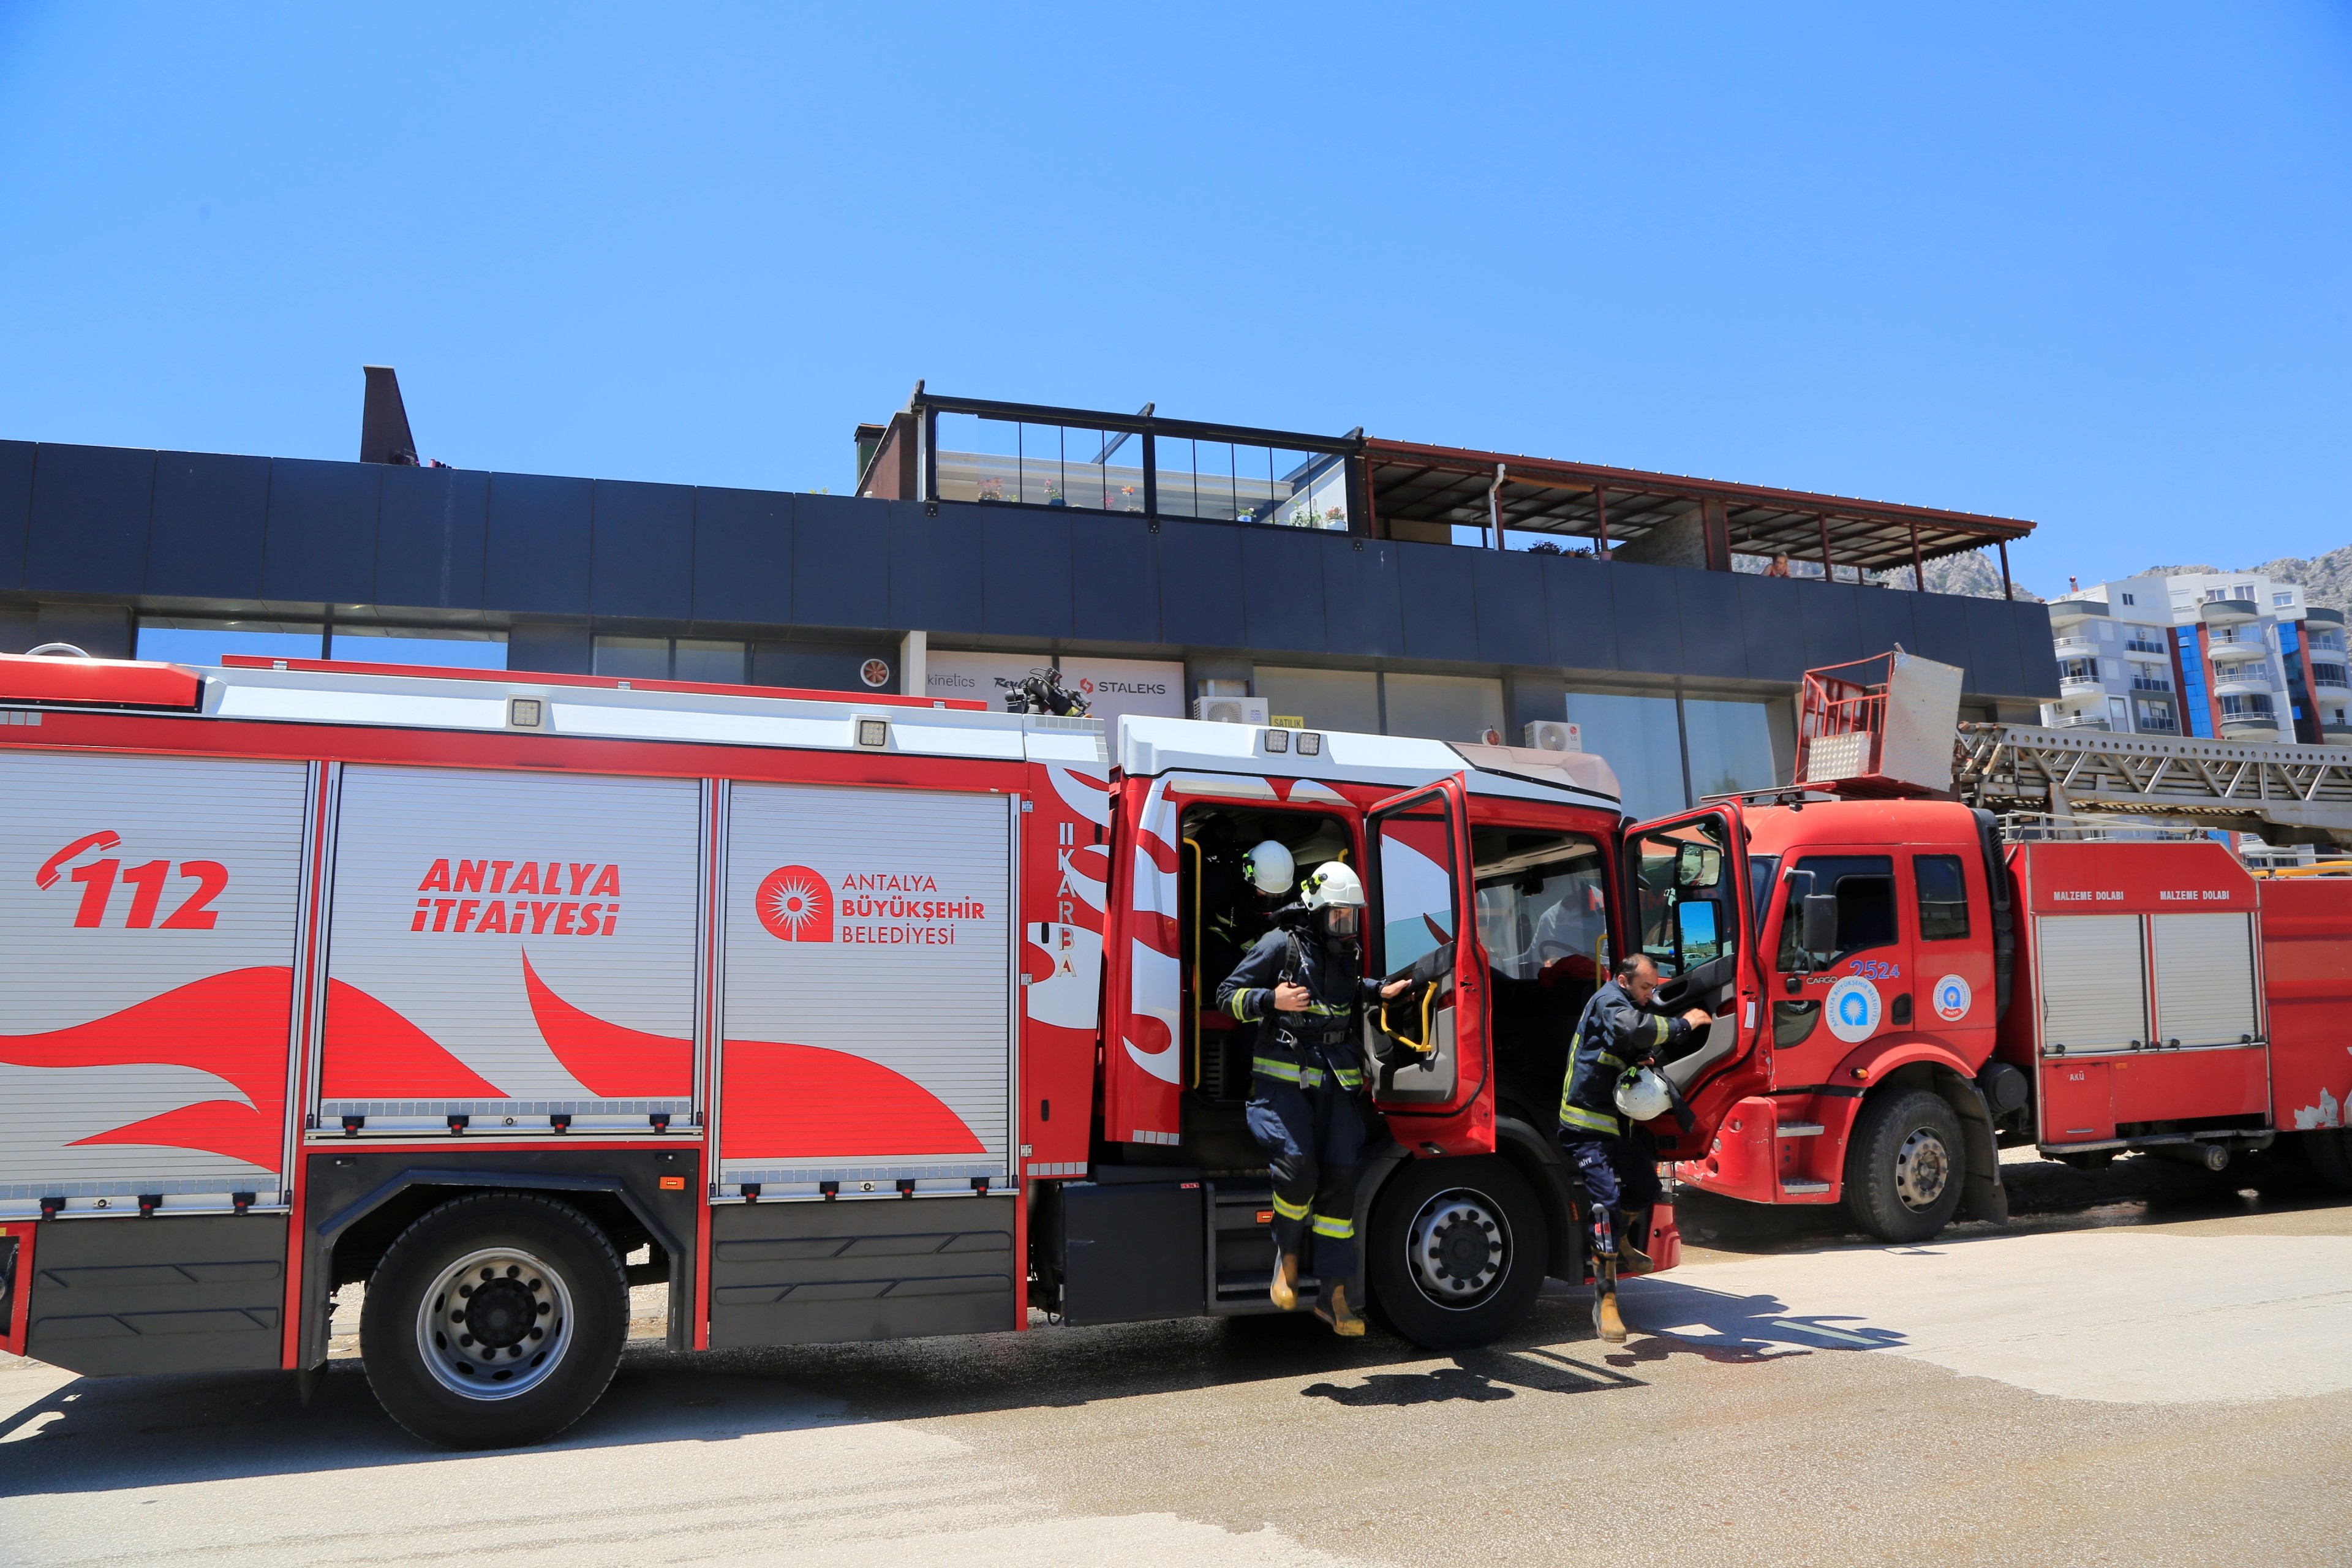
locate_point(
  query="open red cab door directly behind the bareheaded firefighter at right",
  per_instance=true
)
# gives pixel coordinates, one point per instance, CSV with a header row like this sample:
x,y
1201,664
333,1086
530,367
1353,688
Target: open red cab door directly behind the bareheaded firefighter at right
x,y
1690,909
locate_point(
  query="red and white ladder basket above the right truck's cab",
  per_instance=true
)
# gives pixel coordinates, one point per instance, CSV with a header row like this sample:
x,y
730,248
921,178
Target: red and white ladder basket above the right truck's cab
x,y
1878,725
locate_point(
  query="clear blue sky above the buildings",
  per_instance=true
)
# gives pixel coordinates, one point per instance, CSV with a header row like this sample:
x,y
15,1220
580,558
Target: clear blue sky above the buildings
x,y
2076,264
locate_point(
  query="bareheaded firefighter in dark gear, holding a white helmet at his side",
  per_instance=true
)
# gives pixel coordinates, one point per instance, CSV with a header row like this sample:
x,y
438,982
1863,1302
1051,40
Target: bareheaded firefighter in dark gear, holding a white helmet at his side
x,y
1615,1155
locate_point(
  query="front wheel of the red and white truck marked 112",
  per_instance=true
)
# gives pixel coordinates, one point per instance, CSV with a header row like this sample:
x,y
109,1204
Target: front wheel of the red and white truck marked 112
x,y
1457,1252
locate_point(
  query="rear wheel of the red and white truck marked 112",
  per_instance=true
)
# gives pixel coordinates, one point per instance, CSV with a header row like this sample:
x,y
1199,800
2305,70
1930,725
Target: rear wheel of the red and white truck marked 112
x,y
495,1322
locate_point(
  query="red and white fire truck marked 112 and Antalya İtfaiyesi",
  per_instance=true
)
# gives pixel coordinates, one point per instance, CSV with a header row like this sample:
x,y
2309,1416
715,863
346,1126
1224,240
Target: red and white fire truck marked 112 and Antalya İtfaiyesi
x,y
843,1017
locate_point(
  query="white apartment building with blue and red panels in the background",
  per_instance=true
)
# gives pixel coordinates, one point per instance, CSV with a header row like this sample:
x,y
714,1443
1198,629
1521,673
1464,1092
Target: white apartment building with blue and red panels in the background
x,y
2233,657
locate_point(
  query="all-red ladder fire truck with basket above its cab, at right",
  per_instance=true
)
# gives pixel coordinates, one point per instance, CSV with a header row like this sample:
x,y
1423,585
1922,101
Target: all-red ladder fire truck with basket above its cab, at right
x,y
2090,972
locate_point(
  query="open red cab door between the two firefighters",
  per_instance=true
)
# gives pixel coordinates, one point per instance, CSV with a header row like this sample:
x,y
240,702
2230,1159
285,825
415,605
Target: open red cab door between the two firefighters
x,y
1426,1050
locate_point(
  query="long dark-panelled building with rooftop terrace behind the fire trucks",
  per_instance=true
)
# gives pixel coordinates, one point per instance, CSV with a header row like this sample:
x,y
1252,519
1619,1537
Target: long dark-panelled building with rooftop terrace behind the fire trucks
x,y
1335,582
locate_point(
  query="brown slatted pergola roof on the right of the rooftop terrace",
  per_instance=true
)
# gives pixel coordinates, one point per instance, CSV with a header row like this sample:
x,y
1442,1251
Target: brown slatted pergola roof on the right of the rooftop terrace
x,y
1615,507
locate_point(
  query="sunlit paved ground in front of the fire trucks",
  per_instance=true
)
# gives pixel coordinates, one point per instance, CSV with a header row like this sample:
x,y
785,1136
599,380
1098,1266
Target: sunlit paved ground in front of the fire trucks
x,y
2149,1367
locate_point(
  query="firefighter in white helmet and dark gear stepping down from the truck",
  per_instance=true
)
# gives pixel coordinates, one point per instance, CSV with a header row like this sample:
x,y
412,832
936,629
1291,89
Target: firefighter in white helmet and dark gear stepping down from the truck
x,y
1304,984
